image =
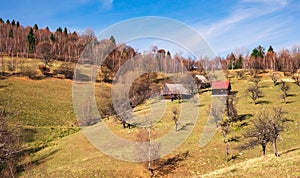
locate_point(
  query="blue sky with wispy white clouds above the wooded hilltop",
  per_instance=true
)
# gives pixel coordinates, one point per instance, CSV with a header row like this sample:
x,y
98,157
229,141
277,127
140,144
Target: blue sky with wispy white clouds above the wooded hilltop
x,y
226,25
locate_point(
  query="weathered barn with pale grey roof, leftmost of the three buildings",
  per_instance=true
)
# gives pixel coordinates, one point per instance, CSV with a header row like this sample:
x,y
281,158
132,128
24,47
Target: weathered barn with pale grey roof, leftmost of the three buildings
x,y
175,91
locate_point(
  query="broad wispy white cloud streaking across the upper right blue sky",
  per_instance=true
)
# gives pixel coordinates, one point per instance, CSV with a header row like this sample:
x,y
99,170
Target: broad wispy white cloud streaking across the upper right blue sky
x,y
249,22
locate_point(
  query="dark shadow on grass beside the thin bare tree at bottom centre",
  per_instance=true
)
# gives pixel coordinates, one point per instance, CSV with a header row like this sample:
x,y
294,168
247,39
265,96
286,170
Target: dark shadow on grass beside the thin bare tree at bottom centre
x,y
165,167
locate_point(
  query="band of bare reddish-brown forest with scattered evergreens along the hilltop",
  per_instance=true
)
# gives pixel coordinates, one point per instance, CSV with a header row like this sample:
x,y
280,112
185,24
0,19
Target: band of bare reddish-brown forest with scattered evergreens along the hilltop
x,y
34,42
